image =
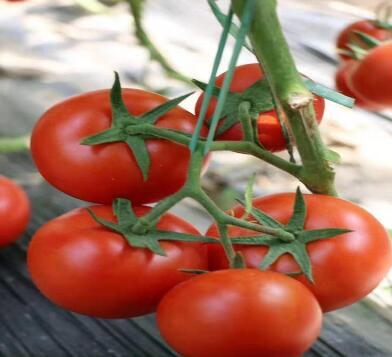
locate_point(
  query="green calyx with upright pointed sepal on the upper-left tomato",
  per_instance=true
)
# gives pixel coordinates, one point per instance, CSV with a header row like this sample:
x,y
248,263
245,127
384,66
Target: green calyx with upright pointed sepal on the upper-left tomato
x,y
123,120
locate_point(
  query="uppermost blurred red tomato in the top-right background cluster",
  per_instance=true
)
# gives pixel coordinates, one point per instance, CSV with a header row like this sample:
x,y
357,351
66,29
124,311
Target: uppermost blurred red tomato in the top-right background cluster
x,y
368,27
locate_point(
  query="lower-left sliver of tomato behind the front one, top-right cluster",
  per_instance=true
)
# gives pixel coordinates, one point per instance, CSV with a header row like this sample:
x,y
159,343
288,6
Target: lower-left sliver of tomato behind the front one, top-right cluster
x,y
342,85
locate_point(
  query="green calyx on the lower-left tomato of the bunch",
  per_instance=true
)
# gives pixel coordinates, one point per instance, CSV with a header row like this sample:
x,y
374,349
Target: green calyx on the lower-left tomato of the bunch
x,y
127,219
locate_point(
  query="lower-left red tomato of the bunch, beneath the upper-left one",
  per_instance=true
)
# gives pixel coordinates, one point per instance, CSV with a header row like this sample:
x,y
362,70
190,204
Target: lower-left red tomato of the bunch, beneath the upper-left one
x,y
84,267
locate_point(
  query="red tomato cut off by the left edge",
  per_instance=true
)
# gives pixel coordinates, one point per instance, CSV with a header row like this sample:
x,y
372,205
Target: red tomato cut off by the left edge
x,y
14,211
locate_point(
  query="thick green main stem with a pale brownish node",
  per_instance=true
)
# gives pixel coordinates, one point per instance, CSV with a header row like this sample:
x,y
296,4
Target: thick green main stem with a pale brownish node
x,y
290,91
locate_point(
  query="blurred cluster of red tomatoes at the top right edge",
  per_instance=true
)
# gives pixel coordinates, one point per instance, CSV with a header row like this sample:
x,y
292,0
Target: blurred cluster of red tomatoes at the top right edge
x,y
365,71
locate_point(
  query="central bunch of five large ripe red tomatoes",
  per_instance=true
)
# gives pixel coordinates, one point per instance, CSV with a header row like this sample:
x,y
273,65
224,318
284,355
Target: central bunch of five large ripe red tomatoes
x,y
94,261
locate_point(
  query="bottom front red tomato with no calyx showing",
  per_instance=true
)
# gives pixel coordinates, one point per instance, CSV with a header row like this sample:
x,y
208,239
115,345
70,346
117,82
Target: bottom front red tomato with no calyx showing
x,y
244,312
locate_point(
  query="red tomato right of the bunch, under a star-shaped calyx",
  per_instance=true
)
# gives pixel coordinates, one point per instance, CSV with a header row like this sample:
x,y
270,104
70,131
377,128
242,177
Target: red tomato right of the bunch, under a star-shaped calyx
x,y
345,268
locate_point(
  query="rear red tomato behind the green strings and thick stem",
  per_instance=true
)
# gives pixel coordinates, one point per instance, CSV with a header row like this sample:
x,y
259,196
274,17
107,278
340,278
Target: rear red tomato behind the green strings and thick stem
x,y
269,128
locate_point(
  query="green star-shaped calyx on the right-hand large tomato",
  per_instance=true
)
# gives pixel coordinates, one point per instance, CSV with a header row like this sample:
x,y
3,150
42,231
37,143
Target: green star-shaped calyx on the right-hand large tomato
x,y
297,247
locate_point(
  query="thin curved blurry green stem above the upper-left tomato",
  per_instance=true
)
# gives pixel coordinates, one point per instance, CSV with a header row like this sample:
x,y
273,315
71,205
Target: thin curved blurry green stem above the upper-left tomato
x,y
136,7
